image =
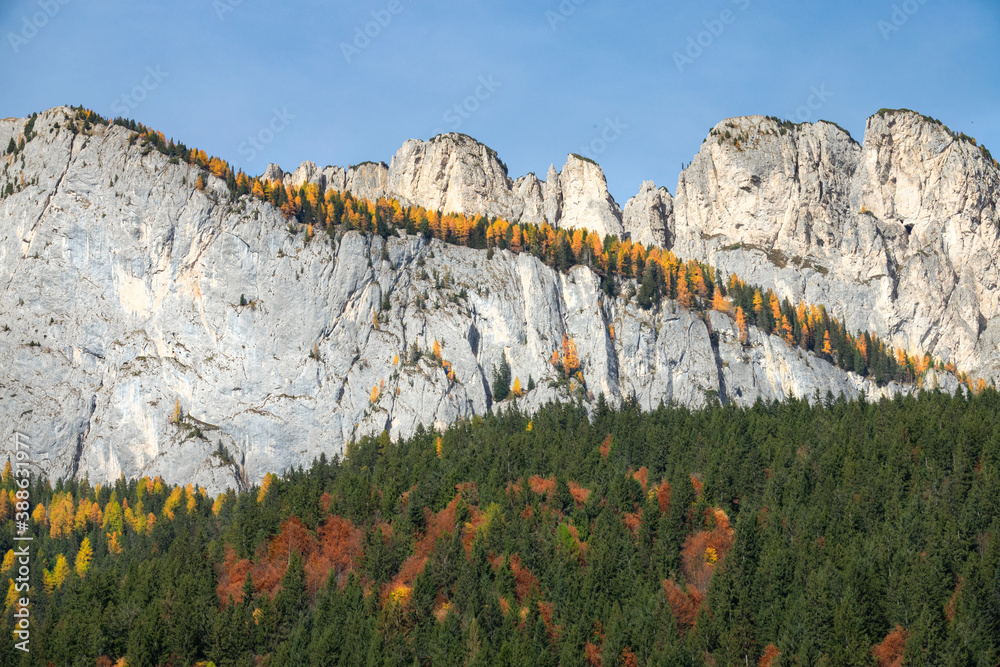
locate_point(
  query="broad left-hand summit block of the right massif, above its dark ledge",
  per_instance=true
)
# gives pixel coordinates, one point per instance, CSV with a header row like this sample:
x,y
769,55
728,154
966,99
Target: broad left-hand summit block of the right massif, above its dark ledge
x,y
766,183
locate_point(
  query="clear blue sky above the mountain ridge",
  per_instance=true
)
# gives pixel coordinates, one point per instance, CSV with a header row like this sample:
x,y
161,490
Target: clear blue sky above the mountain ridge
x,y
635,86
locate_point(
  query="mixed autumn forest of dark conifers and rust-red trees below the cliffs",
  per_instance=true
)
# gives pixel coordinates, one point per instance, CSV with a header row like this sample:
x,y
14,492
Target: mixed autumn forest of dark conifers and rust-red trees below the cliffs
x,y
831,533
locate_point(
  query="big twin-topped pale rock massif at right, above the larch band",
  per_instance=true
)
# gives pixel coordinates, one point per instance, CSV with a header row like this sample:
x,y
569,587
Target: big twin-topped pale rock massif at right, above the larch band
x,y
899,234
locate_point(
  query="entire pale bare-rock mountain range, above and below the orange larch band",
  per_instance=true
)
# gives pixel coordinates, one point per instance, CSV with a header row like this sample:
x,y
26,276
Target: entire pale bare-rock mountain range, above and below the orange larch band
x,y
131,295
